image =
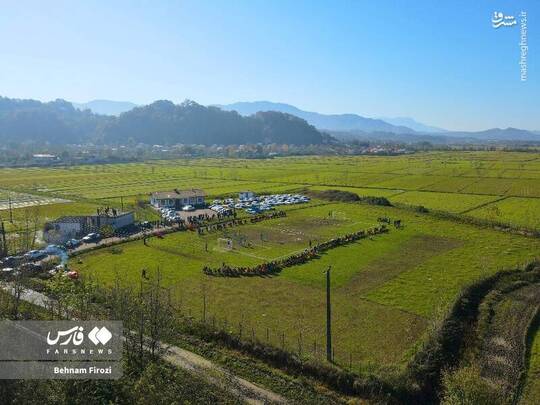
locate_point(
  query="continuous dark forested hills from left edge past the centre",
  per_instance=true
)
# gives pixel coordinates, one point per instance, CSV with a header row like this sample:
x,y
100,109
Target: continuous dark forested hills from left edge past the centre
x,y
161,122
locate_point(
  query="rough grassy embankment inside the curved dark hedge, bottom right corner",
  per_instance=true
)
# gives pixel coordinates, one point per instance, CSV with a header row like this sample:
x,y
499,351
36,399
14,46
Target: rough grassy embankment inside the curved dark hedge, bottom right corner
x,y
489,347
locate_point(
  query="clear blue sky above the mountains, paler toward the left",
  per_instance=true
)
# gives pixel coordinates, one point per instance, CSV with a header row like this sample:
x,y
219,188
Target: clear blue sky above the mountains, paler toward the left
x,y
440,62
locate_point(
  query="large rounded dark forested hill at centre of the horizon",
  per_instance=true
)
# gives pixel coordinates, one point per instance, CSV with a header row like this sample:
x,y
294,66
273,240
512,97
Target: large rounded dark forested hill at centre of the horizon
x,y
165,123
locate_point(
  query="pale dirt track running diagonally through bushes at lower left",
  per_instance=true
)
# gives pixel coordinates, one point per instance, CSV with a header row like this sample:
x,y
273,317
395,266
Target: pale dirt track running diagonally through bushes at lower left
x,y
243,389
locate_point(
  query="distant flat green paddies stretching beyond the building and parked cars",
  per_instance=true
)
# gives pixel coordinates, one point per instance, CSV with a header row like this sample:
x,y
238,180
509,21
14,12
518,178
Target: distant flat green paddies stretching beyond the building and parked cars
x,y
448,181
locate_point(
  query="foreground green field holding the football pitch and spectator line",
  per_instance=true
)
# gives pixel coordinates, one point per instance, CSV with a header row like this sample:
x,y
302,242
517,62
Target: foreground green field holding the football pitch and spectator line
x,y
395,282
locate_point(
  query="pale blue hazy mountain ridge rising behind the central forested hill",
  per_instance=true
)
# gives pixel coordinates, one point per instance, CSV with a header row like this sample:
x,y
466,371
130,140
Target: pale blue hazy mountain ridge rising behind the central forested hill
x,y
334,122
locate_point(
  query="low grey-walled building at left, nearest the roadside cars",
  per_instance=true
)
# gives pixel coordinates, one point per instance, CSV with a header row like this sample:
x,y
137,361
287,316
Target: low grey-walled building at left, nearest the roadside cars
x,y
65,228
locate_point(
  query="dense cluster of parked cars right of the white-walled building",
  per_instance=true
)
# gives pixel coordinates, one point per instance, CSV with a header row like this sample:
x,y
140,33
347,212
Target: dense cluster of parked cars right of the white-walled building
x,y
255,205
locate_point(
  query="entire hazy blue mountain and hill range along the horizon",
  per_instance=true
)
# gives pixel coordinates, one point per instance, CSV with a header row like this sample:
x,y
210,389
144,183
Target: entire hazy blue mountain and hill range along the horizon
x,y
164,122
